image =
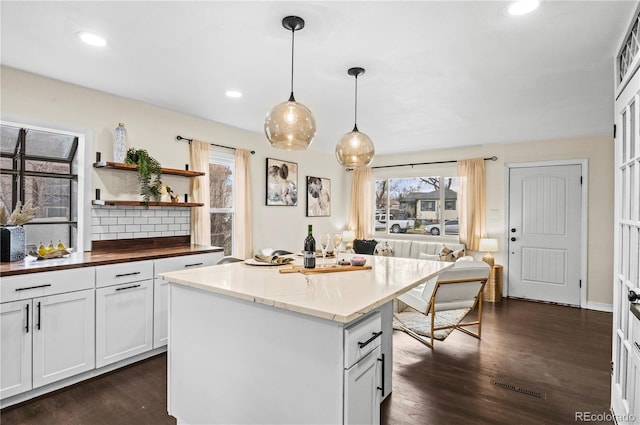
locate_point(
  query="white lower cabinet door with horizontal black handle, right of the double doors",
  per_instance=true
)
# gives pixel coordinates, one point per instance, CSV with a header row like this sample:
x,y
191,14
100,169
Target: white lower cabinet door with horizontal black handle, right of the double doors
x,y
124,318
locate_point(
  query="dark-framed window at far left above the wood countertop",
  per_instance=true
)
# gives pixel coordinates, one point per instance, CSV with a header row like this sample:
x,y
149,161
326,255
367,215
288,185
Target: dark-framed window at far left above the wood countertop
x,y
41,166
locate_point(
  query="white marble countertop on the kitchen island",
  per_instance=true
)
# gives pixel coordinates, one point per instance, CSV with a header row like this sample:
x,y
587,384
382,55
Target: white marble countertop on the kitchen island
x,y
341,296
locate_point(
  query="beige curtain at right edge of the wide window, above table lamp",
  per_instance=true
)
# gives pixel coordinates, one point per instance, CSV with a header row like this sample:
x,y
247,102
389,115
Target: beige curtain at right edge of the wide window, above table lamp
x,y
471,202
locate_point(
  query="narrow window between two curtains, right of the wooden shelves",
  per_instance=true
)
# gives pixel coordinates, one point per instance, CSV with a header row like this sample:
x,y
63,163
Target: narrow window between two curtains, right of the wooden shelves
x,y
221,206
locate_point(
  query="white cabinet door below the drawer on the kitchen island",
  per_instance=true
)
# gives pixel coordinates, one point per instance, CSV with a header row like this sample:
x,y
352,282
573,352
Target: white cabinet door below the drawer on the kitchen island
x,y
361,400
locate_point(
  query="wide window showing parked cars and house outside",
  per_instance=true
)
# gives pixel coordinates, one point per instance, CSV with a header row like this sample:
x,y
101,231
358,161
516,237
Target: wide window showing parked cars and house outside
x,y
417,205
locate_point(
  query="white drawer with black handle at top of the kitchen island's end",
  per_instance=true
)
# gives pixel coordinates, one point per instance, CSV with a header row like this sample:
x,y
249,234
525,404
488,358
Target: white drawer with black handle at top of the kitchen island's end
x,y
362,338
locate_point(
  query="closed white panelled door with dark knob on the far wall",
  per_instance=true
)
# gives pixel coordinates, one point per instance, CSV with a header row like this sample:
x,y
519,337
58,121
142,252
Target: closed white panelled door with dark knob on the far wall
x,y
545,218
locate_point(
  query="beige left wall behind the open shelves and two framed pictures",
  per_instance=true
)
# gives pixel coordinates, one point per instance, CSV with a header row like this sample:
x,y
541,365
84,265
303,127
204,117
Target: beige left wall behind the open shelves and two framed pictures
x,y
33,99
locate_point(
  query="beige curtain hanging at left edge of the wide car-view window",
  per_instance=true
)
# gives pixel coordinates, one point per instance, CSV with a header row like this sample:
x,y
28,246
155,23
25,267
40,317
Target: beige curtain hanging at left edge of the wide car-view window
x,y
360,215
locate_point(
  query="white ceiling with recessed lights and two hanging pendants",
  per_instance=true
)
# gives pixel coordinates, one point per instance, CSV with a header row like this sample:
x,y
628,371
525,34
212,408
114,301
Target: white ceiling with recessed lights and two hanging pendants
x,y
438,73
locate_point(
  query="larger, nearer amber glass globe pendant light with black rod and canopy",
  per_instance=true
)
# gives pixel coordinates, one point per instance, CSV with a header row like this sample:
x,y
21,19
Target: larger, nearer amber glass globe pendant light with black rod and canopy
x,y
290,125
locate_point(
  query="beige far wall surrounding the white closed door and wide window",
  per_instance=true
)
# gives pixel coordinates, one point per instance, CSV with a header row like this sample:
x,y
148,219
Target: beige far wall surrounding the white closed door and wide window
x,y
598,150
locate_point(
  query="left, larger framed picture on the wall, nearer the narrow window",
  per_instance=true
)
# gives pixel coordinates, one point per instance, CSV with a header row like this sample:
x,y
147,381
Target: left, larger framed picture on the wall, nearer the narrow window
x,y
282,182
